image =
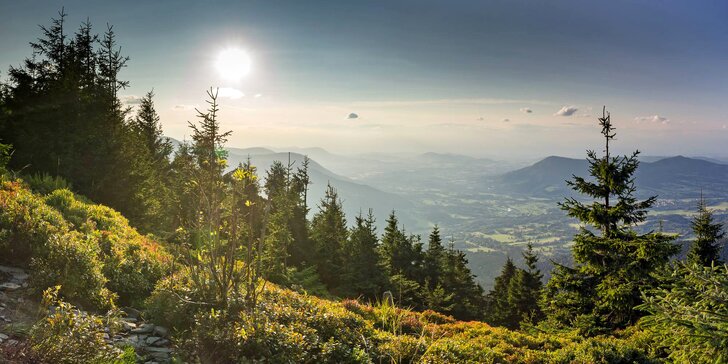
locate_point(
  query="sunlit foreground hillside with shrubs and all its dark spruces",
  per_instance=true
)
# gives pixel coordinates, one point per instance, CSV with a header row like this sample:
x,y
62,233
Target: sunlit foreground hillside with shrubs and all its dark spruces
x,y
223,261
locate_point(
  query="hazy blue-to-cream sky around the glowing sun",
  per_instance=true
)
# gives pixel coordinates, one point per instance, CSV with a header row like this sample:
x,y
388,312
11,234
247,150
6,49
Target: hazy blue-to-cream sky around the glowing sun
x,y
496,78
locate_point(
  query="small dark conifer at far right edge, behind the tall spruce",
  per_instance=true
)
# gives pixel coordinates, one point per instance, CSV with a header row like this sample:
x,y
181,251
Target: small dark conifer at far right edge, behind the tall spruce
x,y
705,249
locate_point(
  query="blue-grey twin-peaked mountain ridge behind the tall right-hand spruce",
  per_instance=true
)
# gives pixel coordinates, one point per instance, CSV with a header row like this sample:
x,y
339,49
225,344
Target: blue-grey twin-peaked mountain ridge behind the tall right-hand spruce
x,y
671,177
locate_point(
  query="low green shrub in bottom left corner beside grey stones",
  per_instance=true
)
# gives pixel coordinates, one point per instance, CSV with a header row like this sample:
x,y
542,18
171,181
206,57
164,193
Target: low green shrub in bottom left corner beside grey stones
x,y
67,335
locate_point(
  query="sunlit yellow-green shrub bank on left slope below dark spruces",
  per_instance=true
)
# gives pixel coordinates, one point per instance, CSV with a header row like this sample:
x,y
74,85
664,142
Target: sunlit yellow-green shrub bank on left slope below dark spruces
x,y
89,250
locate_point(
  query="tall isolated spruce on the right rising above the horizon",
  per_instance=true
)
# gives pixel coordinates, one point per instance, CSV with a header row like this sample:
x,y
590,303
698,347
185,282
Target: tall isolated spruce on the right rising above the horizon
x,y
613,262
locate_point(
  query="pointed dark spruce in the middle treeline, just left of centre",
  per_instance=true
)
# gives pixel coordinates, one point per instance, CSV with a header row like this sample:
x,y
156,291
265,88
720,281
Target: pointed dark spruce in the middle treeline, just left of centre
x,y
328,235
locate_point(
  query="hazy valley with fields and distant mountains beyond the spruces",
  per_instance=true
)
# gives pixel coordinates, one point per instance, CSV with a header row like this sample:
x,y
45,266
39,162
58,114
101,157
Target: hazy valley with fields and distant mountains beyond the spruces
x,y
489,208
